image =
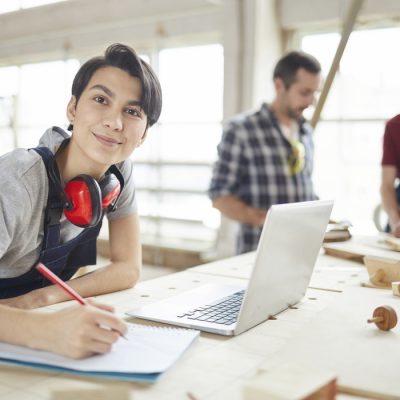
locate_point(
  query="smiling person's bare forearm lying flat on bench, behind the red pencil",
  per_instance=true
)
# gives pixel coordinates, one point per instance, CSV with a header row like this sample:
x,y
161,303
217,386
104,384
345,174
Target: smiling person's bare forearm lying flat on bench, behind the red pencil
x,y
111,278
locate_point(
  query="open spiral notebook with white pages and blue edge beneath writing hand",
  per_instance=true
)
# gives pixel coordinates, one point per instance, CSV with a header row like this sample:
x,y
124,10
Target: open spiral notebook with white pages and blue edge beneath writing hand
x,y
147,353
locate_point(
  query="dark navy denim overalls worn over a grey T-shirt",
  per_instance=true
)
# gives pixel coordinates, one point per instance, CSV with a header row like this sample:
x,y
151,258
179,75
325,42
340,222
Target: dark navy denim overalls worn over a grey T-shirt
x,y
63,259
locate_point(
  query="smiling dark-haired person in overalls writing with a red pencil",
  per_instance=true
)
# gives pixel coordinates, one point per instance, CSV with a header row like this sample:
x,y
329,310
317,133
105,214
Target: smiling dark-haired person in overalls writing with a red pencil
x,y
54,197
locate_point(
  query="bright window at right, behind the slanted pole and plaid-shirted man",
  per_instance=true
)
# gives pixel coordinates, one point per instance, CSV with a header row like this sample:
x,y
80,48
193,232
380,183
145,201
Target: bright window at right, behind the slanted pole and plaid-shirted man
x,y
348,138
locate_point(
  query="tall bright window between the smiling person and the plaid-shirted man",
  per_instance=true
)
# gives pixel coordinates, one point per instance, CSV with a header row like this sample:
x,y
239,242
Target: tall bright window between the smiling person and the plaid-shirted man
x,y
173,169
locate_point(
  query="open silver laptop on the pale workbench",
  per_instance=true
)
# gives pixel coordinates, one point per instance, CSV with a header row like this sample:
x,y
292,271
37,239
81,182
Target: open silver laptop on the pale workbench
x,y
288,248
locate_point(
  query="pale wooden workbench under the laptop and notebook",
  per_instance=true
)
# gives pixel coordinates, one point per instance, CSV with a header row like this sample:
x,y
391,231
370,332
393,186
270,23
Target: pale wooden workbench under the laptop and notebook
x,y
328,330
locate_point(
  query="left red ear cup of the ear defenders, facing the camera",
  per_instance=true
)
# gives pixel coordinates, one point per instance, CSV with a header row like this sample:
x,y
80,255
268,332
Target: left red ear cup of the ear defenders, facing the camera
x,y
85,195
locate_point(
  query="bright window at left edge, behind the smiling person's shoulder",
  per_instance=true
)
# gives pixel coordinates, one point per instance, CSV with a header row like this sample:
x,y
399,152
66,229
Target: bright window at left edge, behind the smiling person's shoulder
x,y
33,97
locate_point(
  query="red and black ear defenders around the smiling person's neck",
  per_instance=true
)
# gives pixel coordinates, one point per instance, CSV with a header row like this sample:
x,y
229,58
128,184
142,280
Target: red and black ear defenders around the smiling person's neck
x,y
84,199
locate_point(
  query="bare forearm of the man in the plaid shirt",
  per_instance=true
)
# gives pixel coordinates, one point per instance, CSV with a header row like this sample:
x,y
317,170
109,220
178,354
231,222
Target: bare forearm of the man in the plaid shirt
x,y
233,208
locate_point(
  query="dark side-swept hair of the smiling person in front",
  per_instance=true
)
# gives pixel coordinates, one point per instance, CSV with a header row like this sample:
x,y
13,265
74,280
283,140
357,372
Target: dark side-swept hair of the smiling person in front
x,y
124,57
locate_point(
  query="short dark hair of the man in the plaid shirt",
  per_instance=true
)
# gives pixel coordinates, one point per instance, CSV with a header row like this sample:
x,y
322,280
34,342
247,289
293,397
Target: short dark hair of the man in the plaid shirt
x,y
287,67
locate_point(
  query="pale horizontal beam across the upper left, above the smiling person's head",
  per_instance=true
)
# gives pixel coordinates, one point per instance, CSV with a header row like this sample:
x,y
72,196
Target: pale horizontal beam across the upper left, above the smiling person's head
x,y
69,28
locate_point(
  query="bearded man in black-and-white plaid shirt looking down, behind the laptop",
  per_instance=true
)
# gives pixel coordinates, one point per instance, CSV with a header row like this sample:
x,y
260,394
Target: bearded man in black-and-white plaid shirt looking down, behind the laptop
x,y
266,157
